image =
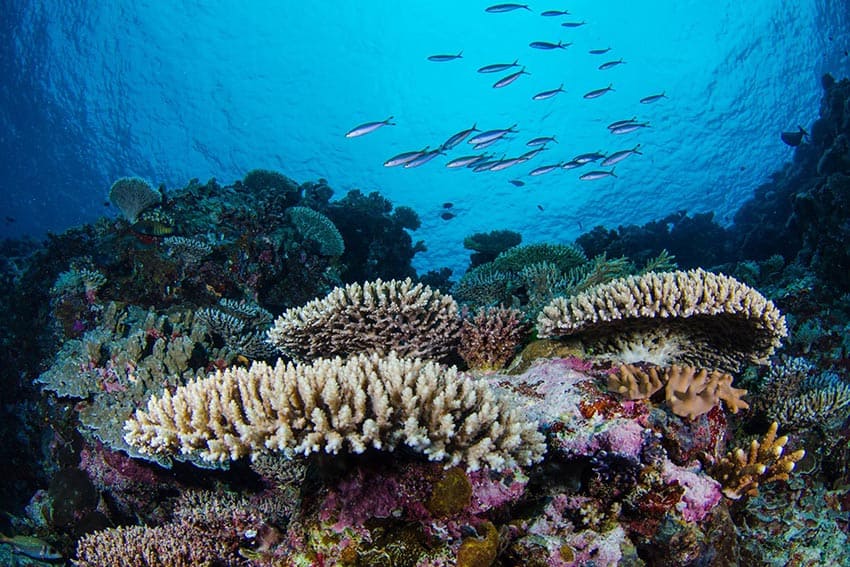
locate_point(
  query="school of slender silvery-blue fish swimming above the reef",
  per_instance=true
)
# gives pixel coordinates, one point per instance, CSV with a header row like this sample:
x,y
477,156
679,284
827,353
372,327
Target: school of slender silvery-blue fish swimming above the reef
x,y
479,139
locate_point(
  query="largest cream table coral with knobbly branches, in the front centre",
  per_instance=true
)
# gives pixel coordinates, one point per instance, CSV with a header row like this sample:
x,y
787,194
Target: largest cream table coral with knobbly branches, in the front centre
x,y
335,405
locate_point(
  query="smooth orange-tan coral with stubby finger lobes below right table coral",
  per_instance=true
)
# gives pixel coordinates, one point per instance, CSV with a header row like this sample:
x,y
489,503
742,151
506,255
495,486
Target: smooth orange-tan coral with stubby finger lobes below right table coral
x,y
690,392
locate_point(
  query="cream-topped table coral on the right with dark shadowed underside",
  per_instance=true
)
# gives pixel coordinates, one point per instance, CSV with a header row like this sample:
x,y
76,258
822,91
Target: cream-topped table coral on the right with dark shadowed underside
x,y
693,317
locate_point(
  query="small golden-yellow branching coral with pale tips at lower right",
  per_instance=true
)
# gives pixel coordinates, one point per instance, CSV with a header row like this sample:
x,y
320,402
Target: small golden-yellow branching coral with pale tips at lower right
x,y
741,472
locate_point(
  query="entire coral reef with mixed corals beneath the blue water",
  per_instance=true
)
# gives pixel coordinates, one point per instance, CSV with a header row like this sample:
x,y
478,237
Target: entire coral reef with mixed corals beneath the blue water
x,y
254,374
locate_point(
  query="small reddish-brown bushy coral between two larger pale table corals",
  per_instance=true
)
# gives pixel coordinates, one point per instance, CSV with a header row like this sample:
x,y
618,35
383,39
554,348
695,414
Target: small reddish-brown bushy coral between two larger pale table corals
x,y
489,339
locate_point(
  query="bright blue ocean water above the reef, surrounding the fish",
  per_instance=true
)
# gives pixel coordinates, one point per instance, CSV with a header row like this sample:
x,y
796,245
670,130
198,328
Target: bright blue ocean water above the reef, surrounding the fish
x,y
92,91
